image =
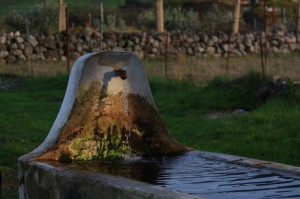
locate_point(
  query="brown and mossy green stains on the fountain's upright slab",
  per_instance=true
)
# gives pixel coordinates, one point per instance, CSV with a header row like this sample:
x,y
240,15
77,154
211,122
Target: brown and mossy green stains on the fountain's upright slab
x,y
98,128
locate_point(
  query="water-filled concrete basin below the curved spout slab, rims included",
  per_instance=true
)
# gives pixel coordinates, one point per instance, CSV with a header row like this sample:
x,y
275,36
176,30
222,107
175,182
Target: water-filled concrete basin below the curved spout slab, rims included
x,y
191,174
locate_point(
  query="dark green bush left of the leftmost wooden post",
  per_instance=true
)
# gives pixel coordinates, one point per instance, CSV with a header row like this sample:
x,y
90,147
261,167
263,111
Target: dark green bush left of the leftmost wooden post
x,y
41,18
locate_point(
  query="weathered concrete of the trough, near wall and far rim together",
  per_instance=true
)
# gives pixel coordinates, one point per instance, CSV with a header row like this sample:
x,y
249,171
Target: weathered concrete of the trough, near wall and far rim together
x,y
52,179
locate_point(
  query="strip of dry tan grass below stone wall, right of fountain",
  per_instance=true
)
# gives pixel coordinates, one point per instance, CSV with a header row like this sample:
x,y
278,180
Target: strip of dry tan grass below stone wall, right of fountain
x,y
201,70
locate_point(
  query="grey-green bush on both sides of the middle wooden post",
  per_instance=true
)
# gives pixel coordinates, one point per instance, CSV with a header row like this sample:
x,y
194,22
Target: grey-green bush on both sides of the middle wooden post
x,y
174,18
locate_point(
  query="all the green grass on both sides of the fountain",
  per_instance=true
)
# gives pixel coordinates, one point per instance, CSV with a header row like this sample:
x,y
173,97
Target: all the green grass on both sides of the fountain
x,y
269,130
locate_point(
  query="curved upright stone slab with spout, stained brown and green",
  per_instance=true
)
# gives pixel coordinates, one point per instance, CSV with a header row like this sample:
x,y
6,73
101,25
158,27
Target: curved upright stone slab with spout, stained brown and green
x,y
106,115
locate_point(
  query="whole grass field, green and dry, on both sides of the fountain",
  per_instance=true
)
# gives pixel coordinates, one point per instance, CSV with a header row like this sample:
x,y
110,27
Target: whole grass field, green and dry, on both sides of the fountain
x,y
199,109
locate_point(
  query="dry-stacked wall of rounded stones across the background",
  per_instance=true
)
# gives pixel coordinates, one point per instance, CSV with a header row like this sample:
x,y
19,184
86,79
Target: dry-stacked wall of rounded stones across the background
x,y
15,48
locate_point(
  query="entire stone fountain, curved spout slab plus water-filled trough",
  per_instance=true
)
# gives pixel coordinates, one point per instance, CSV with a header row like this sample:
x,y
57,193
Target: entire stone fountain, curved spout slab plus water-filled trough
x,y
108,141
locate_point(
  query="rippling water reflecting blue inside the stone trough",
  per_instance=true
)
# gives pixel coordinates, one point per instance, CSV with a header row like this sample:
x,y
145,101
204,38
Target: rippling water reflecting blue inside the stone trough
x,y
194,174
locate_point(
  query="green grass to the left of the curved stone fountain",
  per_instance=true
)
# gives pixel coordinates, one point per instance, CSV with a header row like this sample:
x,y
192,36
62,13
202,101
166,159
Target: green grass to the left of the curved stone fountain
x,y
27,114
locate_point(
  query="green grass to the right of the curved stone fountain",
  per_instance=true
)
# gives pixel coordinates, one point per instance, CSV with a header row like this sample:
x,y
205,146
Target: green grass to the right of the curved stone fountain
x,y
268,131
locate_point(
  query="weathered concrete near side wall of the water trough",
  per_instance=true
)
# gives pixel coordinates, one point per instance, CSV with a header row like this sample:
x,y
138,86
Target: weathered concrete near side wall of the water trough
x,y
42,180
